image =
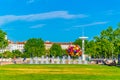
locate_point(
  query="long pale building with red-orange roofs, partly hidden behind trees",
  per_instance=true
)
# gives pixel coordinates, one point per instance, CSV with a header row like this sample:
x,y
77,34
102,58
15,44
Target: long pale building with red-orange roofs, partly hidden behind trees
x,y
20,46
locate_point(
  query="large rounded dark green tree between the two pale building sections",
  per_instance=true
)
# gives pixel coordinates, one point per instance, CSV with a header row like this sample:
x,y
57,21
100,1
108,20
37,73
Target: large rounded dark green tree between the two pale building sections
x,y
34,47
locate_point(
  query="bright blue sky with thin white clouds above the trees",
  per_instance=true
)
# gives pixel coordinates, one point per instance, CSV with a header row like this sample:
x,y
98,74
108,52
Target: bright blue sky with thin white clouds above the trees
x,y
57,20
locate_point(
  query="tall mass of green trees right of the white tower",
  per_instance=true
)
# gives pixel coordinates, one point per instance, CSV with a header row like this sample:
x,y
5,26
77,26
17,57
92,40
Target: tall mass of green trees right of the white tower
x,y
107,45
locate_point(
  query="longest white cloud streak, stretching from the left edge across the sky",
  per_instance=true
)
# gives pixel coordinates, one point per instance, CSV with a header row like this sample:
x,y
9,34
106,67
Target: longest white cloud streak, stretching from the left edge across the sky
x,y
41,16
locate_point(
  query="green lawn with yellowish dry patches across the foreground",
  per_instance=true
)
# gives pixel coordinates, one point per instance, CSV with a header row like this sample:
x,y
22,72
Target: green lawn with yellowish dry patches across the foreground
x,y
59,72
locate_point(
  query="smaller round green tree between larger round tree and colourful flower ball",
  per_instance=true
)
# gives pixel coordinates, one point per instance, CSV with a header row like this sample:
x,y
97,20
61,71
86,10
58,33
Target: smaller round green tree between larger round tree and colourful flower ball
x,y
56,50
